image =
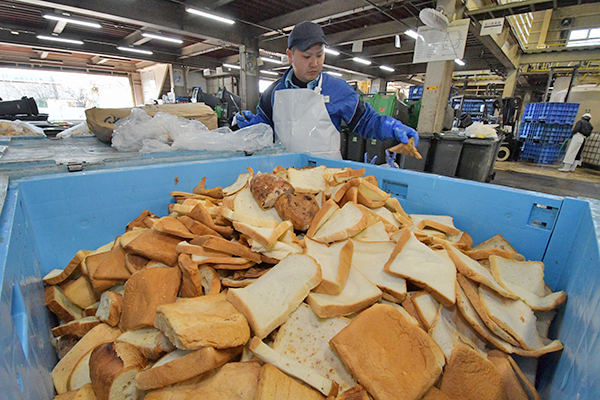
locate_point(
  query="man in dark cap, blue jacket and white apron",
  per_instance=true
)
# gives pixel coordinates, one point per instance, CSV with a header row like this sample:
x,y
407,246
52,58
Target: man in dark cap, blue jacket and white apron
x,y
306,107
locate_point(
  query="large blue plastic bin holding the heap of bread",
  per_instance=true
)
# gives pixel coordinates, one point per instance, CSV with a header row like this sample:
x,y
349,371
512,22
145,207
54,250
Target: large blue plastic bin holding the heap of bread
x,y
46,219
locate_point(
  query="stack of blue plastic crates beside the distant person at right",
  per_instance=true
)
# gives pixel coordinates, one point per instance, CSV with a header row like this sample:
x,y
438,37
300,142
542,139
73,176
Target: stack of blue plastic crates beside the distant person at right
x,y
545,128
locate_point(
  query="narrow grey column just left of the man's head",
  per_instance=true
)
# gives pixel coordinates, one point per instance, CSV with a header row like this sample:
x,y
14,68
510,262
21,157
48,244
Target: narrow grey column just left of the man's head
x,y
249,74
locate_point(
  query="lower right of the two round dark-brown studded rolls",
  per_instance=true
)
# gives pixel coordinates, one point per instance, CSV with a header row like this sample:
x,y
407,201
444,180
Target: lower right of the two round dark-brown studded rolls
x,y
298,208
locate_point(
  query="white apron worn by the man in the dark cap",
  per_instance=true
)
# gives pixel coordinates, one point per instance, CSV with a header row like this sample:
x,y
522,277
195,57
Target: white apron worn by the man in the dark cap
x,y
302,123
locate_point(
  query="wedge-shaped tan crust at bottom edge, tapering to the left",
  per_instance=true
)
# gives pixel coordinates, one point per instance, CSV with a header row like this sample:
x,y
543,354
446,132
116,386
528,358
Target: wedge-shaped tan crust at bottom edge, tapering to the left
x,y
232,381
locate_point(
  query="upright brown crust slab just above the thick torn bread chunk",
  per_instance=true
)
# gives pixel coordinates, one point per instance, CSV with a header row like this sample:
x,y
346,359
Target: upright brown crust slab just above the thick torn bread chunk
x,y
146,290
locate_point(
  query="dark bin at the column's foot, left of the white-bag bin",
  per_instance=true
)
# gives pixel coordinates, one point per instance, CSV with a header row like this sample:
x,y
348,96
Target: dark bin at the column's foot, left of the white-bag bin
x,y
446,153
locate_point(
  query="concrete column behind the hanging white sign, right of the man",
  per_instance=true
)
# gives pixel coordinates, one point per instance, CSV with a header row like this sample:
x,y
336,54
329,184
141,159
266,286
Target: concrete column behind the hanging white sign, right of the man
x,y
438,79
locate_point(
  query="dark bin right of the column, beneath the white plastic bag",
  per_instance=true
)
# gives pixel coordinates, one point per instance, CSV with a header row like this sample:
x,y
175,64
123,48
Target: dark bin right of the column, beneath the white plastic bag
x,y
477,159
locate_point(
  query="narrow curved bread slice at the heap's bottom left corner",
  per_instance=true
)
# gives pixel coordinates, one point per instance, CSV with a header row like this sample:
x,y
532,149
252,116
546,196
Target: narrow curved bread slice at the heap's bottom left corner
x,y
62,370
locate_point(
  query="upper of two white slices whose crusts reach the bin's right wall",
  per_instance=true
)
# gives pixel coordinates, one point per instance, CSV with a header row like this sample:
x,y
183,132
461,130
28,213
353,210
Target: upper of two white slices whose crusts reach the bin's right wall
x,y
526,280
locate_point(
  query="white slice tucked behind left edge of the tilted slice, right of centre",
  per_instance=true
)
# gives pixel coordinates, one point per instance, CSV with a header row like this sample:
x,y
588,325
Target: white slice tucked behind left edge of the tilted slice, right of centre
x,y
369,258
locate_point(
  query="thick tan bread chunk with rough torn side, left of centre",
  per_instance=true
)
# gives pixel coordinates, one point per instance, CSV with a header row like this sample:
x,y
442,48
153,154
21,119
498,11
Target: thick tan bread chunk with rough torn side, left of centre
x,y
205,321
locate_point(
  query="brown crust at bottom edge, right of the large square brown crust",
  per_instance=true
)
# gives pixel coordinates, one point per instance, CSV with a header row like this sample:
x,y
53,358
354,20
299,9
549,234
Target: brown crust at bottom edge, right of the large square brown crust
x,y
469,375
